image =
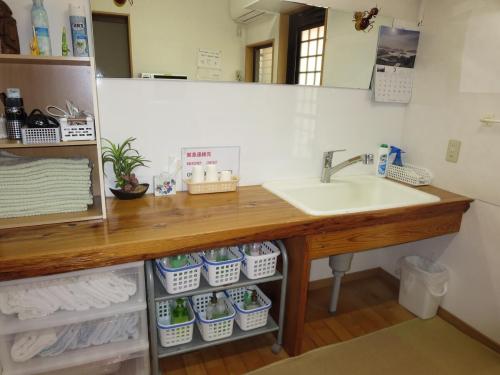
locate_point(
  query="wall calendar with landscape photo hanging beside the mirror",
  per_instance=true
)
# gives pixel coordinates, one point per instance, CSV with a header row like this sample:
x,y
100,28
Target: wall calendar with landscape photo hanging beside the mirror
x,y
393,74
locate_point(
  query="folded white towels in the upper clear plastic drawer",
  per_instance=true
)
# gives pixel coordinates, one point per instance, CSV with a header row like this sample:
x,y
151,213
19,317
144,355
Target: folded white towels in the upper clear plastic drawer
x,y
40,299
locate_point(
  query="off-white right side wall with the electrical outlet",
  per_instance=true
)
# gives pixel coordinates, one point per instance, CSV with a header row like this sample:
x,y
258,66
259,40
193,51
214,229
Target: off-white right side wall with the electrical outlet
x,y
440,110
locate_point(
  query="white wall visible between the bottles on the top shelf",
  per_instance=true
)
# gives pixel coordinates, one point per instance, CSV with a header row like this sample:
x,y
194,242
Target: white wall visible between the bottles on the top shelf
x,y
58,12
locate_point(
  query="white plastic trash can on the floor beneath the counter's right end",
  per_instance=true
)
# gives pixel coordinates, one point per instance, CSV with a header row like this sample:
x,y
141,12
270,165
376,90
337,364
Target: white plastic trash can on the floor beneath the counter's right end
x,y
423,285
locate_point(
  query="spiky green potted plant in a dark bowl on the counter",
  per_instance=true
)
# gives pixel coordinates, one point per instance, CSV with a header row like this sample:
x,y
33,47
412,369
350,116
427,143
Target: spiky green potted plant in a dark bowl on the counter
x,y
125,159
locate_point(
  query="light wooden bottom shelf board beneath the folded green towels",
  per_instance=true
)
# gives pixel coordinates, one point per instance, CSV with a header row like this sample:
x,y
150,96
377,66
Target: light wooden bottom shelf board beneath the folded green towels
x,y
93,213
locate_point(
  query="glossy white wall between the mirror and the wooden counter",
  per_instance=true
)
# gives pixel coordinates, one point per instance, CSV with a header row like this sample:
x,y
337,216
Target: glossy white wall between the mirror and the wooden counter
x,y
282,130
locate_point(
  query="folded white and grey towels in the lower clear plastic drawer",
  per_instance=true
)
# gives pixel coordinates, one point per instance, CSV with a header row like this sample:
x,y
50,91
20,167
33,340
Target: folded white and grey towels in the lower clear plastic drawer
x,y
55,341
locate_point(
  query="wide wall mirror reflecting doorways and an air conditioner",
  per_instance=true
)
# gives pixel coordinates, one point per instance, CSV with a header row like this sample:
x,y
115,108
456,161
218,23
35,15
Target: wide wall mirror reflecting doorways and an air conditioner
x,y
262,41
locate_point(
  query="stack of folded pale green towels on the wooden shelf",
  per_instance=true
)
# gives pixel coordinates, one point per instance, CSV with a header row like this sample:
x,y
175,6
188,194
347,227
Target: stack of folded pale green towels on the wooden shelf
x,y
38,186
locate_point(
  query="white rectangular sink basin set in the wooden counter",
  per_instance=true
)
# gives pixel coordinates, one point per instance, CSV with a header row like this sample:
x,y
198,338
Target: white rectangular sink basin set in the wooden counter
x,y
347,195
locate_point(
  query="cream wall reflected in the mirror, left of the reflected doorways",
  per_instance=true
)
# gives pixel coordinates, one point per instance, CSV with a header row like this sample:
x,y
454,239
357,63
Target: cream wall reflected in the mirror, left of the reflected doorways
x,y
167,34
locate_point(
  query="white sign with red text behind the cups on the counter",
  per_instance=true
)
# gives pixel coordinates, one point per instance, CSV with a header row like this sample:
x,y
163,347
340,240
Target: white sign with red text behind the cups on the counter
x,y
225,158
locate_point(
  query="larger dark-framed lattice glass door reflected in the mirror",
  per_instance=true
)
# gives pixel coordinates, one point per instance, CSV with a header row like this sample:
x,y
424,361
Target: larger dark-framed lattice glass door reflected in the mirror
x,y
306,44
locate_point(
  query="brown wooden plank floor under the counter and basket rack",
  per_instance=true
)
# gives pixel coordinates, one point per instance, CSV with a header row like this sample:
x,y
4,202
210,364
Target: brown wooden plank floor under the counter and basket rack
x,y
366,305
